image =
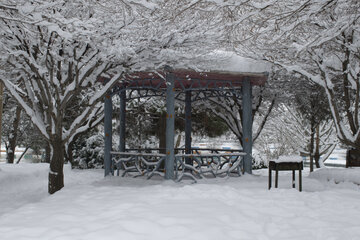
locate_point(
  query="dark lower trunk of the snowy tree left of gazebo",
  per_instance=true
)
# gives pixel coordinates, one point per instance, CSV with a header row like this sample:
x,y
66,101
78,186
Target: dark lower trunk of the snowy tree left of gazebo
x,y
56,174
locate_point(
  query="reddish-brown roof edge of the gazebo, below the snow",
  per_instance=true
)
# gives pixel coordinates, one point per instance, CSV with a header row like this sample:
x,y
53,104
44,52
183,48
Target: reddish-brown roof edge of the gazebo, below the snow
x,y
185,78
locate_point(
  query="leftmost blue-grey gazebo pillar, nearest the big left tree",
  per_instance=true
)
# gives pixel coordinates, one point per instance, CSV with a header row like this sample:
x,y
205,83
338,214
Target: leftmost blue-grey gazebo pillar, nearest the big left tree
x,y
108,134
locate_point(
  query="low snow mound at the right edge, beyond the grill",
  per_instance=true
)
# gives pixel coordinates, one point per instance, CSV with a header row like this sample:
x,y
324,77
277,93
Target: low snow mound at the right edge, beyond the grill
x,y
337,175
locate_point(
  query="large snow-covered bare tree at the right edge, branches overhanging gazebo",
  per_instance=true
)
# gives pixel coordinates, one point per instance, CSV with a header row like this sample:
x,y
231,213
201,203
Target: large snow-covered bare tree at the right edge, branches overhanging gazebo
x,y
319,40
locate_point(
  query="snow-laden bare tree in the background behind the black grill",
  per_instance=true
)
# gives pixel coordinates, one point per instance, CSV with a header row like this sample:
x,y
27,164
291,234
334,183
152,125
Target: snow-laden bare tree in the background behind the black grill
x,y
289,131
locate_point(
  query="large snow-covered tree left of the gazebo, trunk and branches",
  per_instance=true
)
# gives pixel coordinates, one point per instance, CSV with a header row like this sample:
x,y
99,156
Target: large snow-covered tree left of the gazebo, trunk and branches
x,y
56,51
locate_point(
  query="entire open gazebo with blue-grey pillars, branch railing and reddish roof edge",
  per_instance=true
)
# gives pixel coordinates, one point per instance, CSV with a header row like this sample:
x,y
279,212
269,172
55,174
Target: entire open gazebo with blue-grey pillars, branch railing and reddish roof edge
x,y
189,86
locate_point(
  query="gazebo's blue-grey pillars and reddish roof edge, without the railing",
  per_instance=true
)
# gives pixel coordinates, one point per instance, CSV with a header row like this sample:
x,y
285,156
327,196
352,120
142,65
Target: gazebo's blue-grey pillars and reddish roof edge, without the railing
x,y
188,86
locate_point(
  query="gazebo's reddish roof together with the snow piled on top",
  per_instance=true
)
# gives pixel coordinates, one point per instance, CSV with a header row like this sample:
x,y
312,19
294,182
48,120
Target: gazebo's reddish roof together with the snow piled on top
x,y
220,70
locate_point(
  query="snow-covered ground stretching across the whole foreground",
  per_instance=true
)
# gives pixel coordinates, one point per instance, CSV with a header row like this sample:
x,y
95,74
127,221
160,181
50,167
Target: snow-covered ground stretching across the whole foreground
x,y
91,207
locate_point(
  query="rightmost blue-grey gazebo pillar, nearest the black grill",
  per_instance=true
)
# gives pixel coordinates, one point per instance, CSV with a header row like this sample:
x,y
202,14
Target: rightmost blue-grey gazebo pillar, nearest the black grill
x,y
247,124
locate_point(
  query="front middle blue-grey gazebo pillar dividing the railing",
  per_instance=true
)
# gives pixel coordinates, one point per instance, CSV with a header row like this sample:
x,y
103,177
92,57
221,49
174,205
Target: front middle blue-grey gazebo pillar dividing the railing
x,y
170,123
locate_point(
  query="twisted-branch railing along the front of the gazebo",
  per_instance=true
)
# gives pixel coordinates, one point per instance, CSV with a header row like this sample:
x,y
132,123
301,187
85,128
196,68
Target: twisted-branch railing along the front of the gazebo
x,y
201,163
